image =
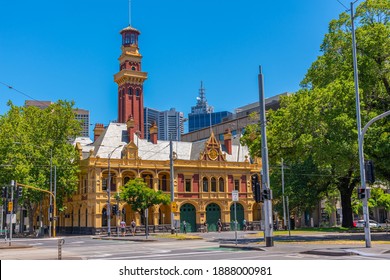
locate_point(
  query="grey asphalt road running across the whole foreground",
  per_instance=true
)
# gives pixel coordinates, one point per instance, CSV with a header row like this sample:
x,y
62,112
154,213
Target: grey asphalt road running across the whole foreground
x,y
88,248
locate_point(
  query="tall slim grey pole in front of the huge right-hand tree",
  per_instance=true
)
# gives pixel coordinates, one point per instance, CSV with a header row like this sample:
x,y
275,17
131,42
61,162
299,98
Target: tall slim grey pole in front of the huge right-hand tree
x,y
366,214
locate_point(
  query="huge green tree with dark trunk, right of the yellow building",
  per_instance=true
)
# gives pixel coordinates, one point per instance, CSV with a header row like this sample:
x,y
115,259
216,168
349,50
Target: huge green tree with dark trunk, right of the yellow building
x,y
319,121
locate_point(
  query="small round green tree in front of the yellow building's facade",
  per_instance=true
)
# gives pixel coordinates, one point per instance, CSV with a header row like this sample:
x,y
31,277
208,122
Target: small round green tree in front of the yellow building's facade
x,y
140,197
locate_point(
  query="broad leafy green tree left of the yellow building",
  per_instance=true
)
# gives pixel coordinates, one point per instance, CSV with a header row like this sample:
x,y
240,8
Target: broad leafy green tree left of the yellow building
x,y
34,139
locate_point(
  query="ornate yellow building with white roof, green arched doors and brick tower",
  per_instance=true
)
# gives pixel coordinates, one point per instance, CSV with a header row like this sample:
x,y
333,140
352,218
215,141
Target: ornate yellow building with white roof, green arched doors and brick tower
x,y
205,172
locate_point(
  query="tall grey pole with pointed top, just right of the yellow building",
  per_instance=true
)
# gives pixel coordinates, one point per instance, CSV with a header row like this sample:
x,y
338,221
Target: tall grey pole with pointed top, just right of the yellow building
x,y
267,194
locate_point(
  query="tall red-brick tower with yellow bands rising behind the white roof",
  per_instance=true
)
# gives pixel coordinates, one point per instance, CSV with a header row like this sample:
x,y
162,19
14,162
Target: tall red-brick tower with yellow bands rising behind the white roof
x,y
130,80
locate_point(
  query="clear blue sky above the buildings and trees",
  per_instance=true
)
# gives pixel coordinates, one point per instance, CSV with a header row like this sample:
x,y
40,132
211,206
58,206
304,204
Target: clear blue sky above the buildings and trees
x,y
68,49
